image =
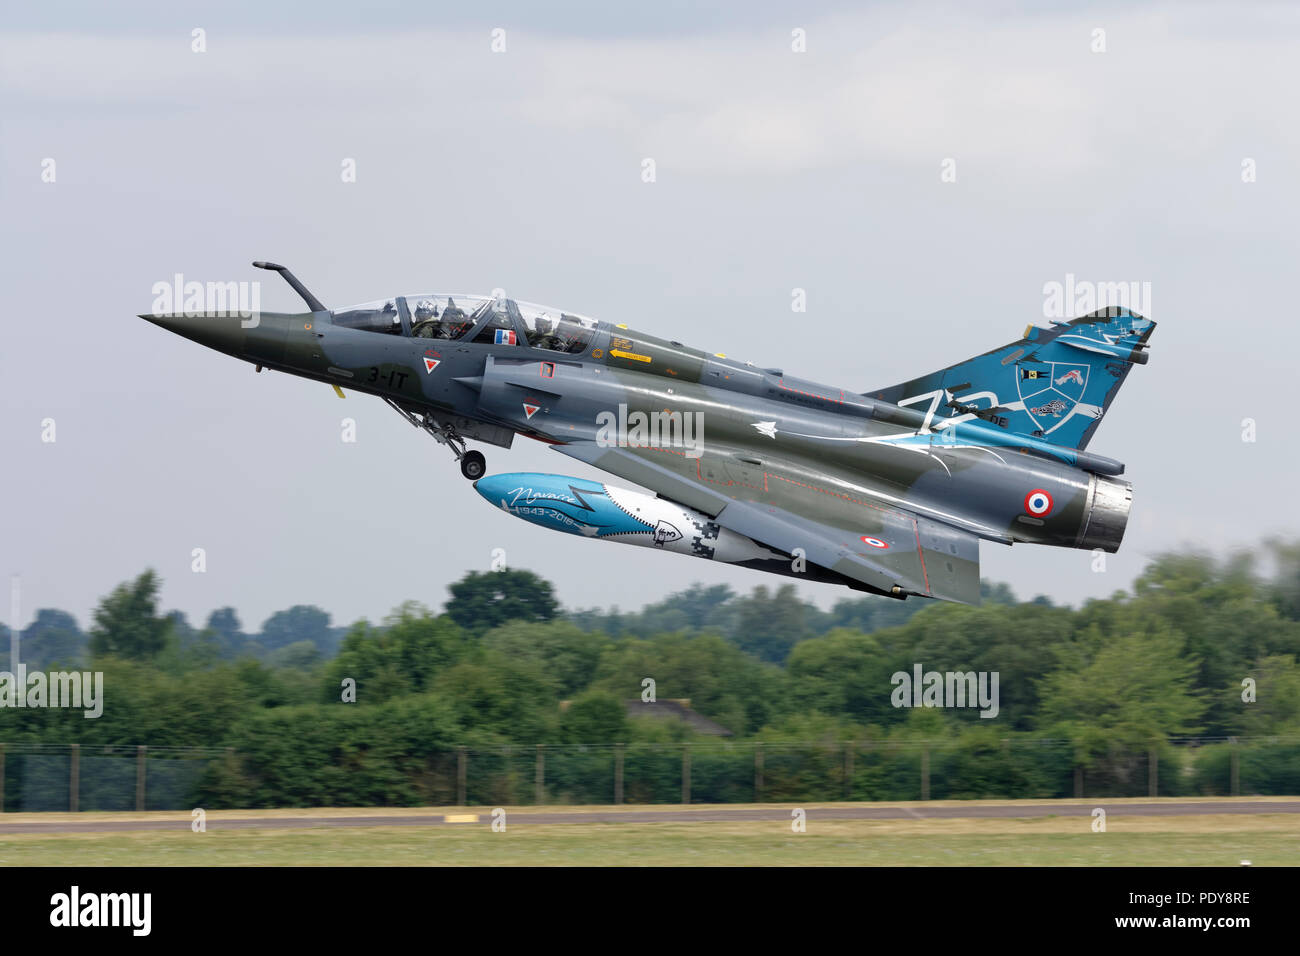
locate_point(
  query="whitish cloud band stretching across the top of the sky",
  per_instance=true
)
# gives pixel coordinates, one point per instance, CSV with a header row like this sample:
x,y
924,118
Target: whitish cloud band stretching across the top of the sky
x,y
1017,98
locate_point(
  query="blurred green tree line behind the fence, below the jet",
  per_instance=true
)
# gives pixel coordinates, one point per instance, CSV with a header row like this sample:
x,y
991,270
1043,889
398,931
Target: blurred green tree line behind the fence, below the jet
x,y
1198,648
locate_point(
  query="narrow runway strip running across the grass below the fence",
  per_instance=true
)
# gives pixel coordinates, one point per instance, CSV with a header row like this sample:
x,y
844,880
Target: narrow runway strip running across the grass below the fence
x,y
775,814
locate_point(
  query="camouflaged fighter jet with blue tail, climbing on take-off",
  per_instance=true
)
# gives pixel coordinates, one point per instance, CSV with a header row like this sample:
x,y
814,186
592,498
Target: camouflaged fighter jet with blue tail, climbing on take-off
x,y
889,491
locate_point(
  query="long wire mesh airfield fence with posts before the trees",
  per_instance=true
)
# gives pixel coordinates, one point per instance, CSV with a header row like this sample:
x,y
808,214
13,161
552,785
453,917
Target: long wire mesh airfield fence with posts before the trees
x,y
70,777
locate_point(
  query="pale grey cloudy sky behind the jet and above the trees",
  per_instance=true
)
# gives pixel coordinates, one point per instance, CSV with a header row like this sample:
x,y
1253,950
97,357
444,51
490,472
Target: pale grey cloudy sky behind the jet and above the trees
x,y
921,171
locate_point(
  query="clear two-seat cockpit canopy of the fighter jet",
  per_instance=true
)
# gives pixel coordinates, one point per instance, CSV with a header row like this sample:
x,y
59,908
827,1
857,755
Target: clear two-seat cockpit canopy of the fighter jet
x,y
492,321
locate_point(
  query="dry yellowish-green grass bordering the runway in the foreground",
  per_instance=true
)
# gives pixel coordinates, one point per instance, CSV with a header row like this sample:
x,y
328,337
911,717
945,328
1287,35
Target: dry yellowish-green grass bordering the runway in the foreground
x,y
1188,841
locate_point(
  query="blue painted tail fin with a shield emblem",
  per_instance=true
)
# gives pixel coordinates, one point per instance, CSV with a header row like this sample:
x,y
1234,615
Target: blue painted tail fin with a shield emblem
x,y
1055,384
